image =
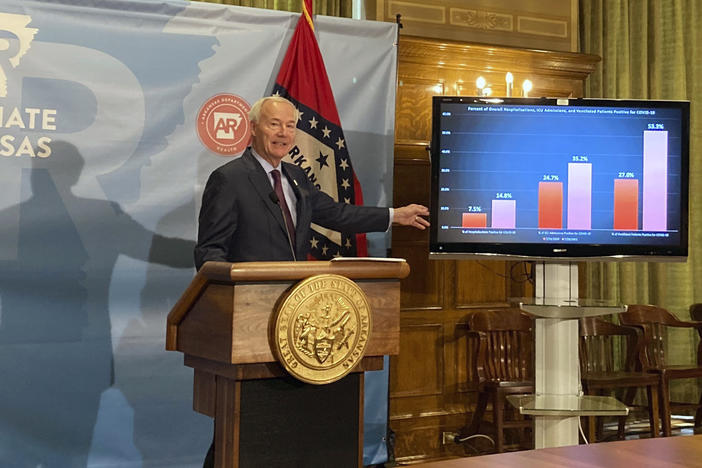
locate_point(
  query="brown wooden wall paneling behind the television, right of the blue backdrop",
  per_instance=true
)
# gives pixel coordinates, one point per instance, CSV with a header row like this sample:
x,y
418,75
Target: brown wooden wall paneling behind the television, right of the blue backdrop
x,y
431,384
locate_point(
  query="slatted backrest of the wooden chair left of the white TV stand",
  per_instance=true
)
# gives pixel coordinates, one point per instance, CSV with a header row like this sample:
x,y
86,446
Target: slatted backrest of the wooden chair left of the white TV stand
x,y
506,341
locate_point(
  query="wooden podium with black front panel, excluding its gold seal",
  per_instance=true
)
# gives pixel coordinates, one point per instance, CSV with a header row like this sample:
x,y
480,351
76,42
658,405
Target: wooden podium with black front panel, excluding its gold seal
x,y
264,417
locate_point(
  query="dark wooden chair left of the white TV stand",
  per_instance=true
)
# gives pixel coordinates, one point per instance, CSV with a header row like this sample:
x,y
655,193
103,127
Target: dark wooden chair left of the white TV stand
x,y
504,365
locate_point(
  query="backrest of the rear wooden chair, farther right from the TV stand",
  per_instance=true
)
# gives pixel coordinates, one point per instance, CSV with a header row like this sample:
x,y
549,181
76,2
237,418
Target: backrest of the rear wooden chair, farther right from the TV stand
x,y
653,320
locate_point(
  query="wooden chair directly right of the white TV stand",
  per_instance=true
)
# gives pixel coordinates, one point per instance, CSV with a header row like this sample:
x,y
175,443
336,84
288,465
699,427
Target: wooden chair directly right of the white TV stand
x,y
599,341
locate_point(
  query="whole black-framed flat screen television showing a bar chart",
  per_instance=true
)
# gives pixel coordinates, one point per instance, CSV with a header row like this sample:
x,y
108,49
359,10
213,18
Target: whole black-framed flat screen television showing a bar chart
x,y
572,179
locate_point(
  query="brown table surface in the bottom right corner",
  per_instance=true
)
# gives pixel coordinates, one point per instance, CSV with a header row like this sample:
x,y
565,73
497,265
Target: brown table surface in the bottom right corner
x,y
668,452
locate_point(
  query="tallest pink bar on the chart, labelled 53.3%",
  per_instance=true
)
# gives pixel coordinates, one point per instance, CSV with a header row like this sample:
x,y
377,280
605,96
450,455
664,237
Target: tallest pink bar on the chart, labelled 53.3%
x,y
655,181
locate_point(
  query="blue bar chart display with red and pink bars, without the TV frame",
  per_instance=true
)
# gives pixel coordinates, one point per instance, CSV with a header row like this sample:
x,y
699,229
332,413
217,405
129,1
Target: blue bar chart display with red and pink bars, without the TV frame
x,y
558,175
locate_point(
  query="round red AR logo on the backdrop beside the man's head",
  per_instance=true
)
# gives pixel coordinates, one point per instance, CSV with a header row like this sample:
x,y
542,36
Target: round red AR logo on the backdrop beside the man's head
x,y
223,124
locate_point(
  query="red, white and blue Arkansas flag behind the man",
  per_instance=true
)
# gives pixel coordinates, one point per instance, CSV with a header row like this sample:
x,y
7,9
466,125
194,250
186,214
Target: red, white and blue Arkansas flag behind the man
x,y
320,147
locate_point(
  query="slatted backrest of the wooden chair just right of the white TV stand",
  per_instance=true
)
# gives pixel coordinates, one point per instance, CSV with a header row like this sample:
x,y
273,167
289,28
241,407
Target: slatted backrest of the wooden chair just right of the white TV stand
x,y
606,347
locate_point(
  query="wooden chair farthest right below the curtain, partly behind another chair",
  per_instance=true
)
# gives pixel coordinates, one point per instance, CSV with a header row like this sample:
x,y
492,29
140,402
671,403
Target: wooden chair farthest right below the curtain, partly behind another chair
x,y
655,322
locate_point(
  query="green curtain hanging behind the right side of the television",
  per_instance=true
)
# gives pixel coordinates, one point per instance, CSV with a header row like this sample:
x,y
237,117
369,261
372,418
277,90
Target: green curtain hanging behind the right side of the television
x,y
652,49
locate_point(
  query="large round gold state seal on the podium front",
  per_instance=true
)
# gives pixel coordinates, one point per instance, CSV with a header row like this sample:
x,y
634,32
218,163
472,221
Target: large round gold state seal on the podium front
x,y
321,329
